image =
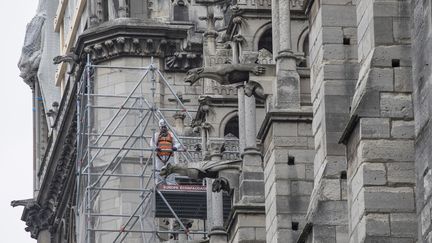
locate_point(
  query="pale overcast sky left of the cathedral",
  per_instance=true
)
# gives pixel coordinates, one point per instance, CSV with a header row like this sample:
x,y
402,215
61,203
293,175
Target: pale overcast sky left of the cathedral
x,y
16,132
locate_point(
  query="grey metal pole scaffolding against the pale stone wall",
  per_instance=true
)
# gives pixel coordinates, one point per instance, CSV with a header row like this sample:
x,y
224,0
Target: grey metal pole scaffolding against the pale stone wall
x,y
116,163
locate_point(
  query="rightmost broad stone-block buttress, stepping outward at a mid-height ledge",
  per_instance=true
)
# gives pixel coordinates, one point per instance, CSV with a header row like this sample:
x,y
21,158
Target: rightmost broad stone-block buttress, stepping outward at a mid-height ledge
x,y
380,147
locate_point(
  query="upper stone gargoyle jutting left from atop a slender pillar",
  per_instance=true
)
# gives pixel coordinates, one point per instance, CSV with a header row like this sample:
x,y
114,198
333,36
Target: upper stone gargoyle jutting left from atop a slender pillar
x,y
225,74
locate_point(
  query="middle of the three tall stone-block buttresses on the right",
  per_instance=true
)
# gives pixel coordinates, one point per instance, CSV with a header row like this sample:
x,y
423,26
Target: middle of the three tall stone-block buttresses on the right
x,y
333,57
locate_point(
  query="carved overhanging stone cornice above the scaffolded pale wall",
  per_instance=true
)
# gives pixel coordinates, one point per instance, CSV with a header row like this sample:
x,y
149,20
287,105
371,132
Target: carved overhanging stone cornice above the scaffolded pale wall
x,y
137,38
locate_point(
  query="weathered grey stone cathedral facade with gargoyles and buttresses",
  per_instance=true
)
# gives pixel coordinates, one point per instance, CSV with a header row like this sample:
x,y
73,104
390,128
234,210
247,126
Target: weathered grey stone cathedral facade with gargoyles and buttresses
x,y
314,112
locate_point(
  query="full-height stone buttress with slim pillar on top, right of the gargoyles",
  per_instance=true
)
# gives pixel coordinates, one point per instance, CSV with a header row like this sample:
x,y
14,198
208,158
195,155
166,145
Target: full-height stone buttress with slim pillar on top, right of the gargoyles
x,y
286,134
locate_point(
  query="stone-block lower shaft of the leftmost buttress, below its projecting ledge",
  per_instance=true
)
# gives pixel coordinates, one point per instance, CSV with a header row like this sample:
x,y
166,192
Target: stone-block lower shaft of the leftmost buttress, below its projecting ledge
x,y
288,174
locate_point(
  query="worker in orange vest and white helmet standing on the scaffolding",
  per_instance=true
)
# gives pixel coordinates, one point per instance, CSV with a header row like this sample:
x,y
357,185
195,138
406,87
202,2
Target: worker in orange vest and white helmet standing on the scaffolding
x,y
166,145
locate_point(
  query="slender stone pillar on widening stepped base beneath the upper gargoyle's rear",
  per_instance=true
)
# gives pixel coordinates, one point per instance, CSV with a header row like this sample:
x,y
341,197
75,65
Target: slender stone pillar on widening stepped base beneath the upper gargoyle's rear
x,y
249,211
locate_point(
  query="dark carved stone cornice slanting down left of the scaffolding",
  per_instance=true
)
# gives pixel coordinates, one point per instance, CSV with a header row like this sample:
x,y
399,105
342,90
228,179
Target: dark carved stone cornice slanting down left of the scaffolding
x,y
43,212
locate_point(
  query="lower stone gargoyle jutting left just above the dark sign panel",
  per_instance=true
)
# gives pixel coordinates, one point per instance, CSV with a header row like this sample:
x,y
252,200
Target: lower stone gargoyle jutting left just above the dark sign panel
x,y
208,170
